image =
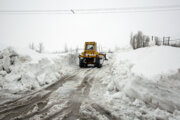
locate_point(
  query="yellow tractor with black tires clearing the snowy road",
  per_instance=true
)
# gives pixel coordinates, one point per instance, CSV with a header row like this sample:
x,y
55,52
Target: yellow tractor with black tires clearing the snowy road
x,y
91,56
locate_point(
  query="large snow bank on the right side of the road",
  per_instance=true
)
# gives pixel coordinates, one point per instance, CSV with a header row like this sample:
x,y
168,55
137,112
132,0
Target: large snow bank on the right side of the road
x,y
149,74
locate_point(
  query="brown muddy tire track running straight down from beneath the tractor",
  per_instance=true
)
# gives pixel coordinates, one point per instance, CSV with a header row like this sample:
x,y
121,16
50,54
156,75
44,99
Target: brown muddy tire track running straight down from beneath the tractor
x,y
75,100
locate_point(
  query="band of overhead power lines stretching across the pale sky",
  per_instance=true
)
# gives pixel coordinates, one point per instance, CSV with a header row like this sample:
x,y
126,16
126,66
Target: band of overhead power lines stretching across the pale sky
x,y
97,10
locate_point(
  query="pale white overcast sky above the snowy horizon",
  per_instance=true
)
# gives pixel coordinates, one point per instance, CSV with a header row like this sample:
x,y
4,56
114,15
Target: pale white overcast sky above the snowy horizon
x,y
109,30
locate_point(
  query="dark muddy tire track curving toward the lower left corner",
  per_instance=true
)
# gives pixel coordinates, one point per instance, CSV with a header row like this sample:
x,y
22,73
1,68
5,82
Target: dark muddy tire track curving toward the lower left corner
x,y
24,105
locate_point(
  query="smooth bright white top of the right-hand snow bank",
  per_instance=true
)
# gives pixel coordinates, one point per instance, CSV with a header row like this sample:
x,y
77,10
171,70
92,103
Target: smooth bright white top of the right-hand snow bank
x,y
153,61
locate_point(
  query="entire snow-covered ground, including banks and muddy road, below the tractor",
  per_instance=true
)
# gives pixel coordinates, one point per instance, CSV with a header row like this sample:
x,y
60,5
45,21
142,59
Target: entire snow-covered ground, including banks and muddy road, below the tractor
x,y
142,84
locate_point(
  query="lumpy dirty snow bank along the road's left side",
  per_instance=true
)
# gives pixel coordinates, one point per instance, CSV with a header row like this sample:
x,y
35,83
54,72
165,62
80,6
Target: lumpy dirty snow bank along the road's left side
x,y
24,70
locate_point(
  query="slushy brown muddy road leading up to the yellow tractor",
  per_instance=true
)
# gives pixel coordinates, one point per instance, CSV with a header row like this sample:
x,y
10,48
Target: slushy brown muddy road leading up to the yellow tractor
x,y
60,101
